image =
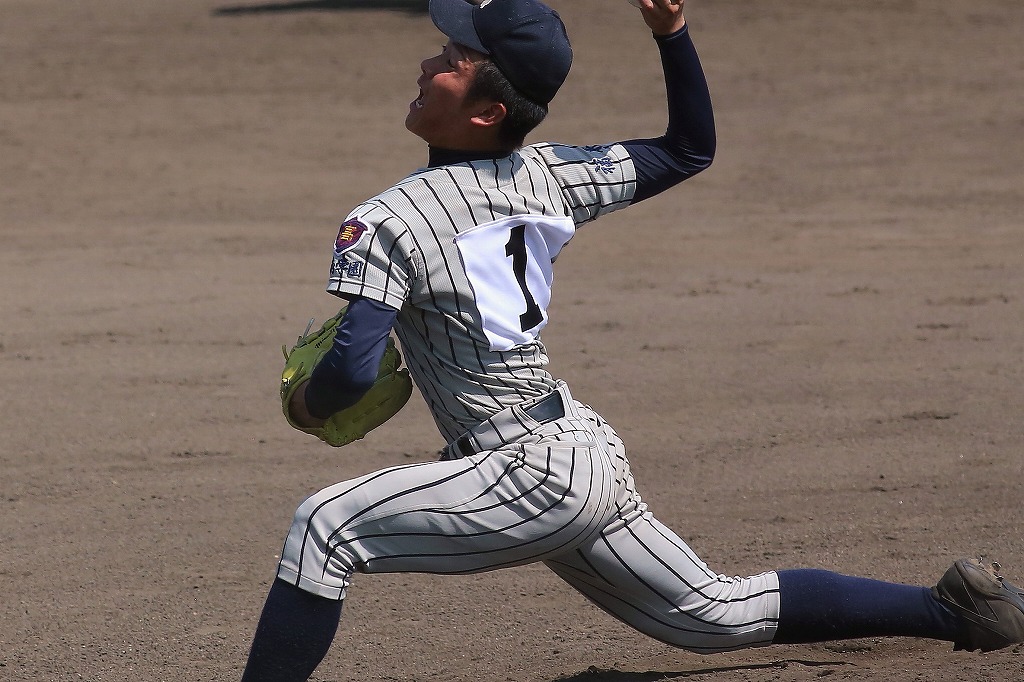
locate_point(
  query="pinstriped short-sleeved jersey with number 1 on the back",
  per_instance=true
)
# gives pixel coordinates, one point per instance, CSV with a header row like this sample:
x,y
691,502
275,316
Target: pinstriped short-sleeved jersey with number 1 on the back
x,y
464,252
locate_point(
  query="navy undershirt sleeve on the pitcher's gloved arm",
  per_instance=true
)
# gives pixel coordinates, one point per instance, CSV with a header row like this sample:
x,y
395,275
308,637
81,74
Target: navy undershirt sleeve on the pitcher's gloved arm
x,y
349,370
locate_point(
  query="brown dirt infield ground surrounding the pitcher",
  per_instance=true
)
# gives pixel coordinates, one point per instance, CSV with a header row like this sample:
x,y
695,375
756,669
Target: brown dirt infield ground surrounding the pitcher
x,y
814,351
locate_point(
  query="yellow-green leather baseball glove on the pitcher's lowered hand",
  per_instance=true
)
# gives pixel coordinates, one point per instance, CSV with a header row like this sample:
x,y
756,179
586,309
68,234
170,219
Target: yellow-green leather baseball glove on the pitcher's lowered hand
x,y
389,395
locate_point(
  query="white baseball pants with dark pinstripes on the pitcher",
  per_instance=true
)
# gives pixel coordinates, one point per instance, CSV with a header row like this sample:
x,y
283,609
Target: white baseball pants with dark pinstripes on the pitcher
x,y
560,493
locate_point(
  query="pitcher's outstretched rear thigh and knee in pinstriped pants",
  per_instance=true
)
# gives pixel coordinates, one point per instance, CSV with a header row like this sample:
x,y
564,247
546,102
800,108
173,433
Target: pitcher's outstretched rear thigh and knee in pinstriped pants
x,y
645,575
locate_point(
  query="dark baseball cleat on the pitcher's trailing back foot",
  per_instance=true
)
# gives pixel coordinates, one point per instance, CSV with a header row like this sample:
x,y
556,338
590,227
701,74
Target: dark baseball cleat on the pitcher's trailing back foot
x,y
991,609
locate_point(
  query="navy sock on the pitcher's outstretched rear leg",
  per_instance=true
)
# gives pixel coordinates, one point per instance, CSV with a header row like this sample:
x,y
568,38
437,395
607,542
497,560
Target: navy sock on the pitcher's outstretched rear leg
x,y
820,606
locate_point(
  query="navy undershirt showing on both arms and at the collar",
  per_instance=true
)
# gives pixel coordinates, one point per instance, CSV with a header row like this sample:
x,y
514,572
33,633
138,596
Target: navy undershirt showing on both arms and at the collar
x,y
350,368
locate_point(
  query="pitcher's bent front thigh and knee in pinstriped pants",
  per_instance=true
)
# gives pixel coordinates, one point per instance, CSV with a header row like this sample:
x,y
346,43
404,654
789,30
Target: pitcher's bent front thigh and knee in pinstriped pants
x,y
492,510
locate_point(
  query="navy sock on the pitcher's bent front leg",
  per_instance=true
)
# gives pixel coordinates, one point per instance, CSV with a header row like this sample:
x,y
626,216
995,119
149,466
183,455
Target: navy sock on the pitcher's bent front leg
x,y
294,634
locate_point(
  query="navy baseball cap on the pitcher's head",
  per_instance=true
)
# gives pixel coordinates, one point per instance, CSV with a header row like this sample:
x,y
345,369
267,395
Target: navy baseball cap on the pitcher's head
x,y
526,39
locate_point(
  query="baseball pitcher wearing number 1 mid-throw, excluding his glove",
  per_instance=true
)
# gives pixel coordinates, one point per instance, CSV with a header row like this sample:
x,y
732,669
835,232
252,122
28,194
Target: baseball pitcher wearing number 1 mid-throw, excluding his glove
x,y
457,261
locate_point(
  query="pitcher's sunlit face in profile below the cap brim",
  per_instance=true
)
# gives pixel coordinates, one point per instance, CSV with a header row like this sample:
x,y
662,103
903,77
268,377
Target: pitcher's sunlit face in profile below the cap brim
x,y
441,115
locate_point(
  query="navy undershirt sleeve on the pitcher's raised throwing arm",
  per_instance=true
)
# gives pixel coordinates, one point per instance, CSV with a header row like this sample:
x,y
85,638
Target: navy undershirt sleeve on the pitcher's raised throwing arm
x,y
689,146
